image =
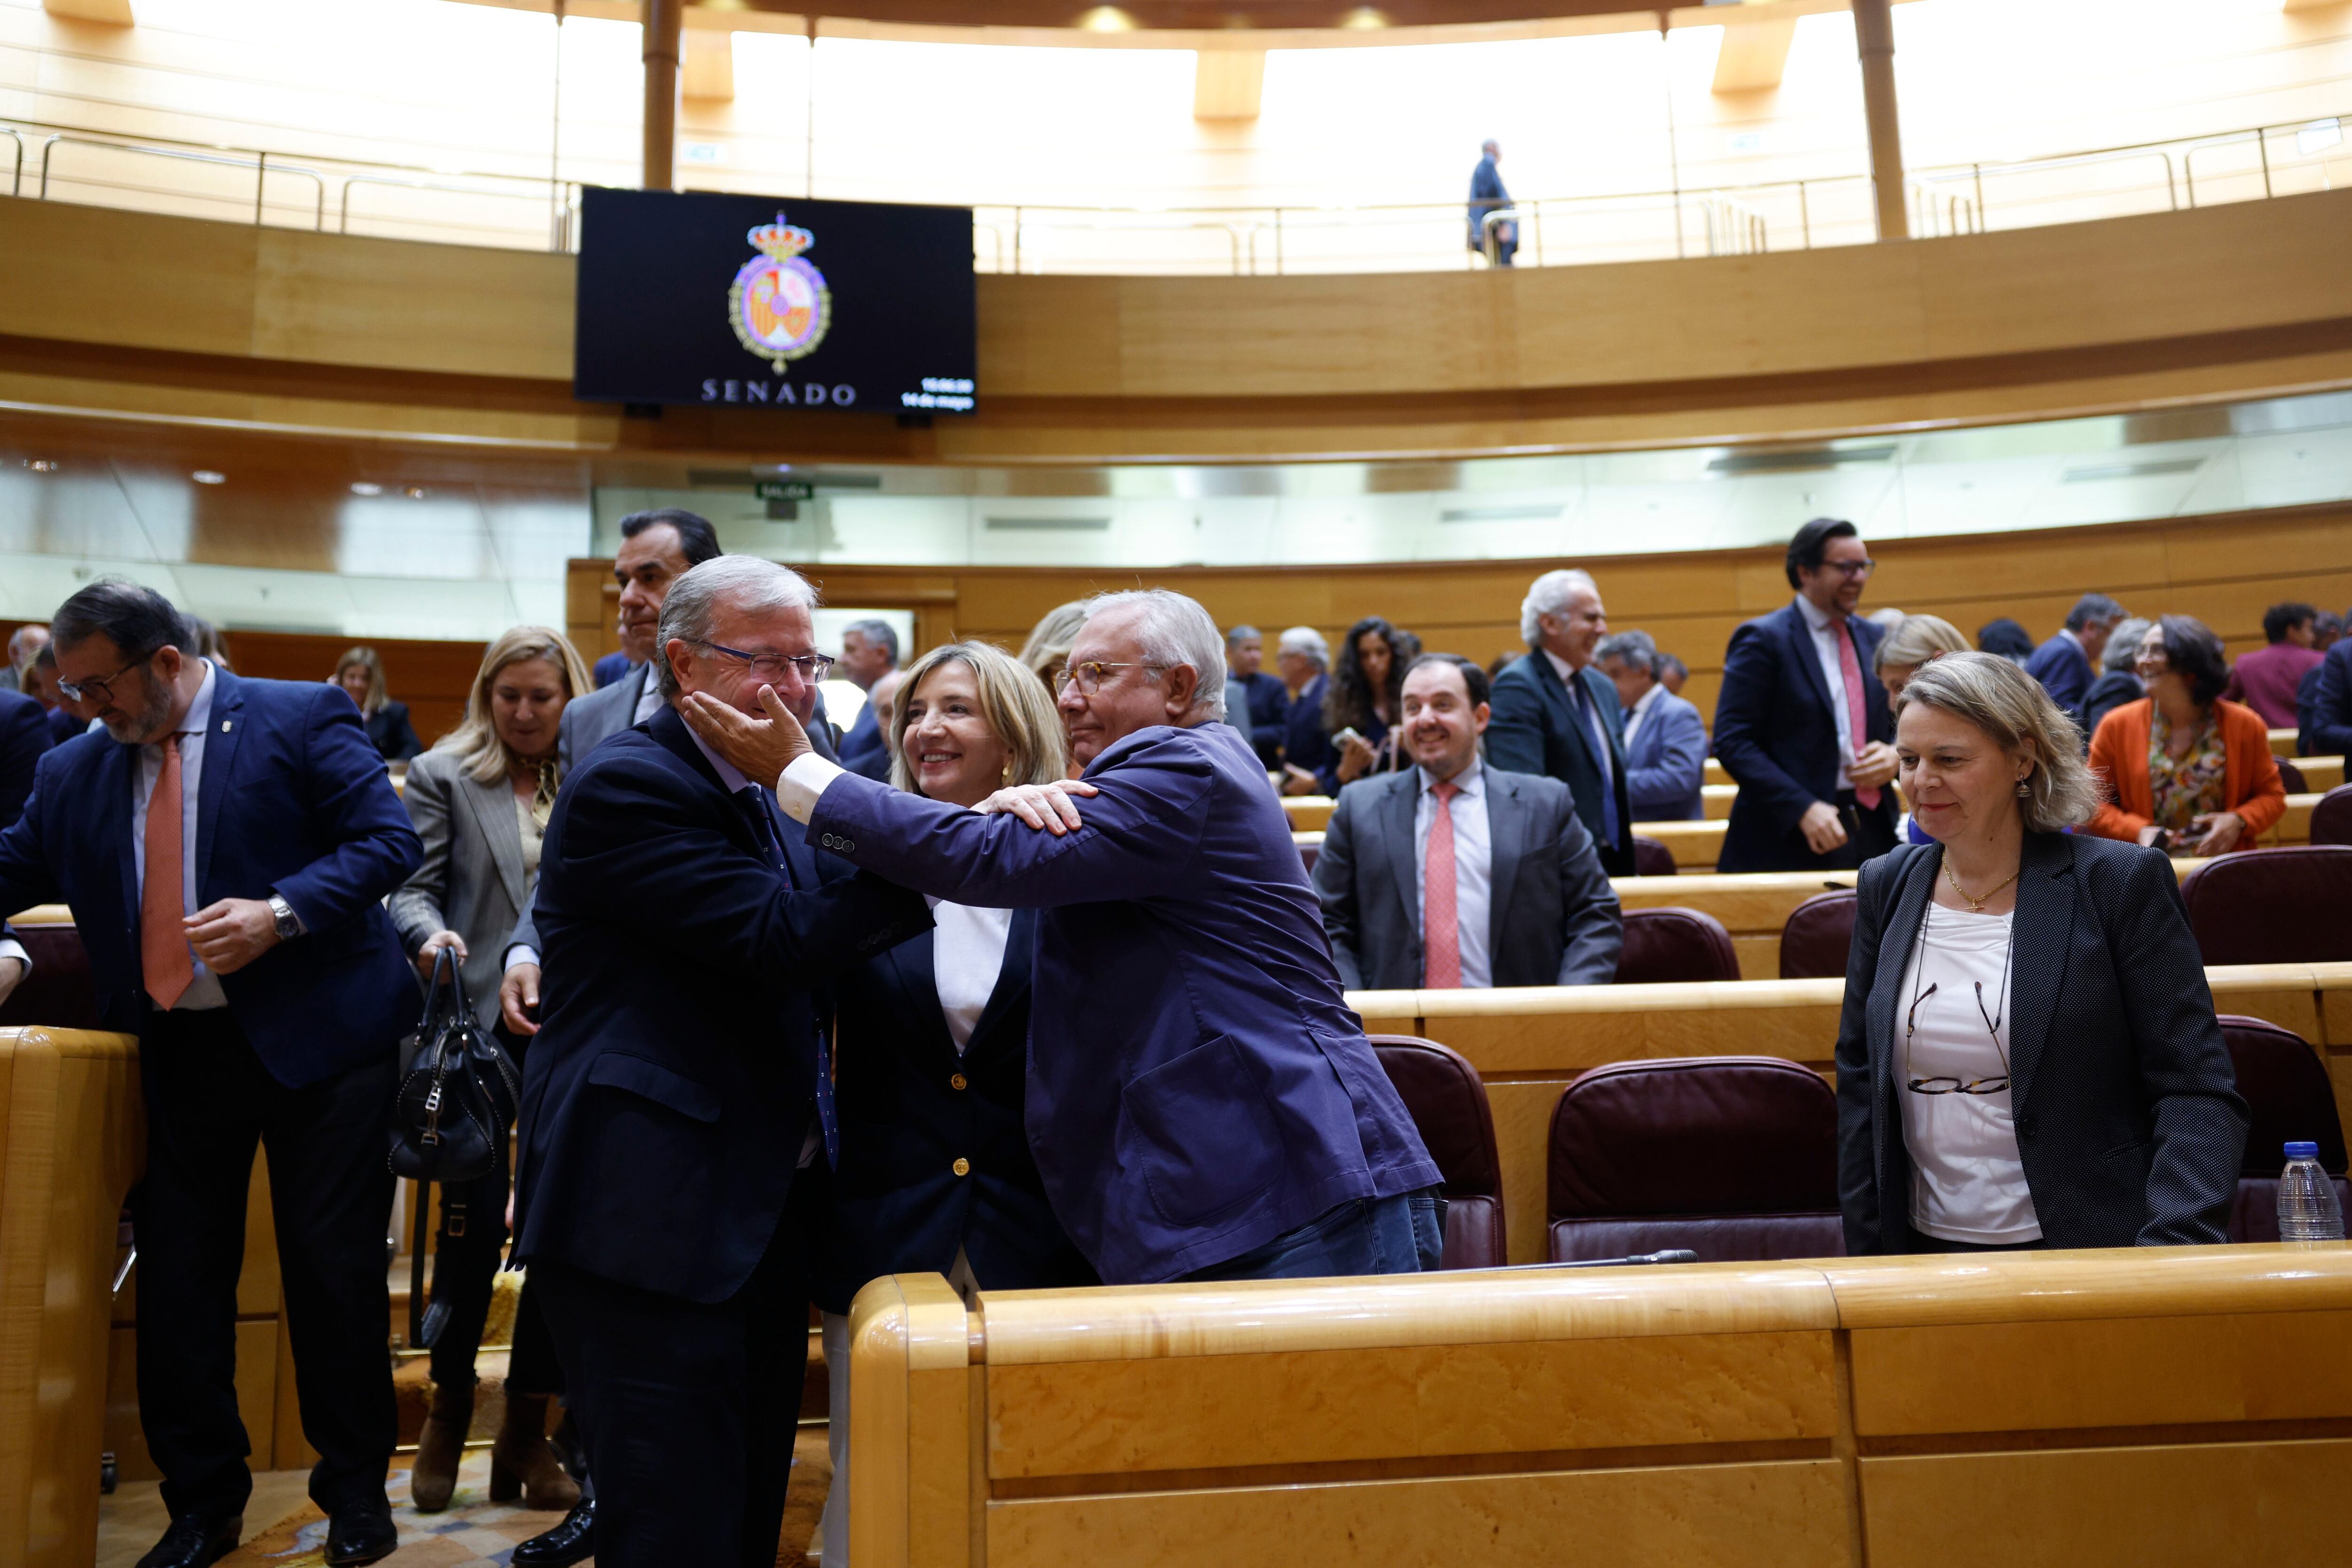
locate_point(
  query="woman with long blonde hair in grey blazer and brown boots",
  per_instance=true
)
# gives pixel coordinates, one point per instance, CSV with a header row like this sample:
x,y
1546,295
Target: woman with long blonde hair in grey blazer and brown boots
x,y
481,803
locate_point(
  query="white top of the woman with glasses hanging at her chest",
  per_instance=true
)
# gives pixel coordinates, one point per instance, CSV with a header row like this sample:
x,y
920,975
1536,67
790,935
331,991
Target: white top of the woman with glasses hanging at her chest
x,y
1967,1177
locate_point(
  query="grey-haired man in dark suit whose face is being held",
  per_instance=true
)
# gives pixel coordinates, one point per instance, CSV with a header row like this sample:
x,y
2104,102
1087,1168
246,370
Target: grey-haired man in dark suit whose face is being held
x,y
681,1080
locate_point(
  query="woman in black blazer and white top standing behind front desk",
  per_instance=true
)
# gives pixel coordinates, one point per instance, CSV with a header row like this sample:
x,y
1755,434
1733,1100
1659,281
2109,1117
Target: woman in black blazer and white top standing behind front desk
x,y
2029,1052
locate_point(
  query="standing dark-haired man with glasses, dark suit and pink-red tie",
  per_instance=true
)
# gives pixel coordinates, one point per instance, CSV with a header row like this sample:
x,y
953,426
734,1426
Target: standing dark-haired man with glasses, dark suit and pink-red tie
x,y
1803,723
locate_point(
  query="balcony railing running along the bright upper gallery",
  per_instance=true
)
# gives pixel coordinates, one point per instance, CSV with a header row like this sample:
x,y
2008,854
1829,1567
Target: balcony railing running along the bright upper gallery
x,y
462,208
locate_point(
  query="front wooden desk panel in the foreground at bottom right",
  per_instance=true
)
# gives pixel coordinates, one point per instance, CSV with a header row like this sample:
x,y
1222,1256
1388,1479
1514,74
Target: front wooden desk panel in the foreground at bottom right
x,y
2118,1409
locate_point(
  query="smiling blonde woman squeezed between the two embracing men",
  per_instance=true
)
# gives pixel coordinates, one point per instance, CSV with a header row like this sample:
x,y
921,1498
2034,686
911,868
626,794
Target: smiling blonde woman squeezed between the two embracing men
x,y
933,1052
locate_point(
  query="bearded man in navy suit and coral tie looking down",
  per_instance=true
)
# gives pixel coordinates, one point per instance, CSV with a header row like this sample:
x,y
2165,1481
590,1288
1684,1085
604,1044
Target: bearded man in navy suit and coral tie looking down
x,y
227,847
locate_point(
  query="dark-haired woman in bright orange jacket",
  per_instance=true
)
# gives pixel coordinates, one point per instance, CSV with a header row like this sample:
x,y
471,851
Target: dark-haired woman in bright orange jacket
x,y
2191,772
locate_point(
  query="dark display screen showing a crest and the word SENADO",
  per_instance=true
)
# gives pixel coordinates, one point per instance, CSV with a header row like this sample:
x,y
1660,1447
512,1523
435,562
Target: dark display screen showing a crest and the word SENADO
x,y
770,302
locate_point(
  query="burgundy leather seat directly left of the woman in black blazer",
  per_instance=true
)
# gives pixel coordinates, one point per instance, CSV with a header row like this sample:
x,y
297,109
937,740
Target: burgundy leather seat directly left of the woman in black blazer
x,y
1728,1155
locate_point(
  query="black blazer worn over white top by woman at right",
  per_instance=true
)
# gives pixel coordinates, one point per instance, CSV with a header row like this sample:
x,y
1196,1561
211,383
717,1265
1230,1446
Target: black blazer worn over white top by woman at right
x,y
2125,1099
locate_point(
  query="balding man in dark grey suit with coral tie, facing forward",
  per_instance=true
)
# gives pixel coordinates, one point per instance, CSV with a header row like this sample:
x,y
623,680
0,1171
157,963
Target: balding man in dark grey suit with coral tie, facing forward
x,y
1528,899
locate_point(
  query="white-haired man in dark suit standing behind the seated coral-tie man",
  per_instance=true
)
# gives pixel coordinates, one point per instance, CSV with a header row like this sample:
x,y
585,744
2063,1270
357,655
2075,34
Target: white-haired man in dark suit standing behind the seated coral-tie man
x,y
1558,716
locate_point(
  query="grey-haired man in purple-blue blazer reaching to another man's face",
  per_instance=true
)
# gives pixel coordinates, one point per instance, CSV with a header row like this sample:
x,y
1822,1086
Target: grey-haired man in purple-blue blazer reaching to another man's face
x,y
1201,1099
